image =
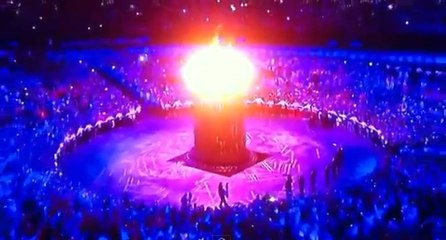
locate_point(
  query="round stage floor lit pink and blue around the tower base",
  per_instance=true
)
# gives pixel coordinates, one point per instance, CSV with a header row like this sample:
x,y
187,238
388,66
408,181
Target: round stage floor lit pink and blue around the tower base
x,y
136,160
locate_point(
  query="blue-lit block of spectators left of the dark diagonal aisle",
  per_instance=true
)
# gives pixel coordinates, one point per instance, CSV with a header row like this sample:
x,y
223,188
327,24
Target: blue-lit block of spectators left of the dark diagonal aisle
x,y
40,108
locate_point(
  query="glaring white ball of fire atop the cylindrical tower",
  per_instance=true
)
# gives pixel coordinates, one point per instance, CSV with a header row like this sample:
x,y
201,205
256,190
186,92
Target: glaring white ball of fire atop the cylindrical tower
x,y
218,73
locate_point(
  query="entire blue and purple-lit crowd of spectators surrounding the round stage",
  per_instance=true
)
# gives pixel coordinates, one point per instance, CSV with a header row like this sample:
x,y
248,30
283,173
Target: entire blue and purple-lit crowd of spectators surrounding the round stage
x,y
404,200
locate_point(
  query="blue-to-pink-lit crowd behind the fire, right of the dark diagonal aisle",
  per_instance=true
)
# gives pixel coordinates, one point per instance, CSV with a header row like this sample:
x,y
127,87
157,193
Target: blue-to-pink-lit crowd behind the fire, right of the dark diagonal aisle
x,y
405,101
